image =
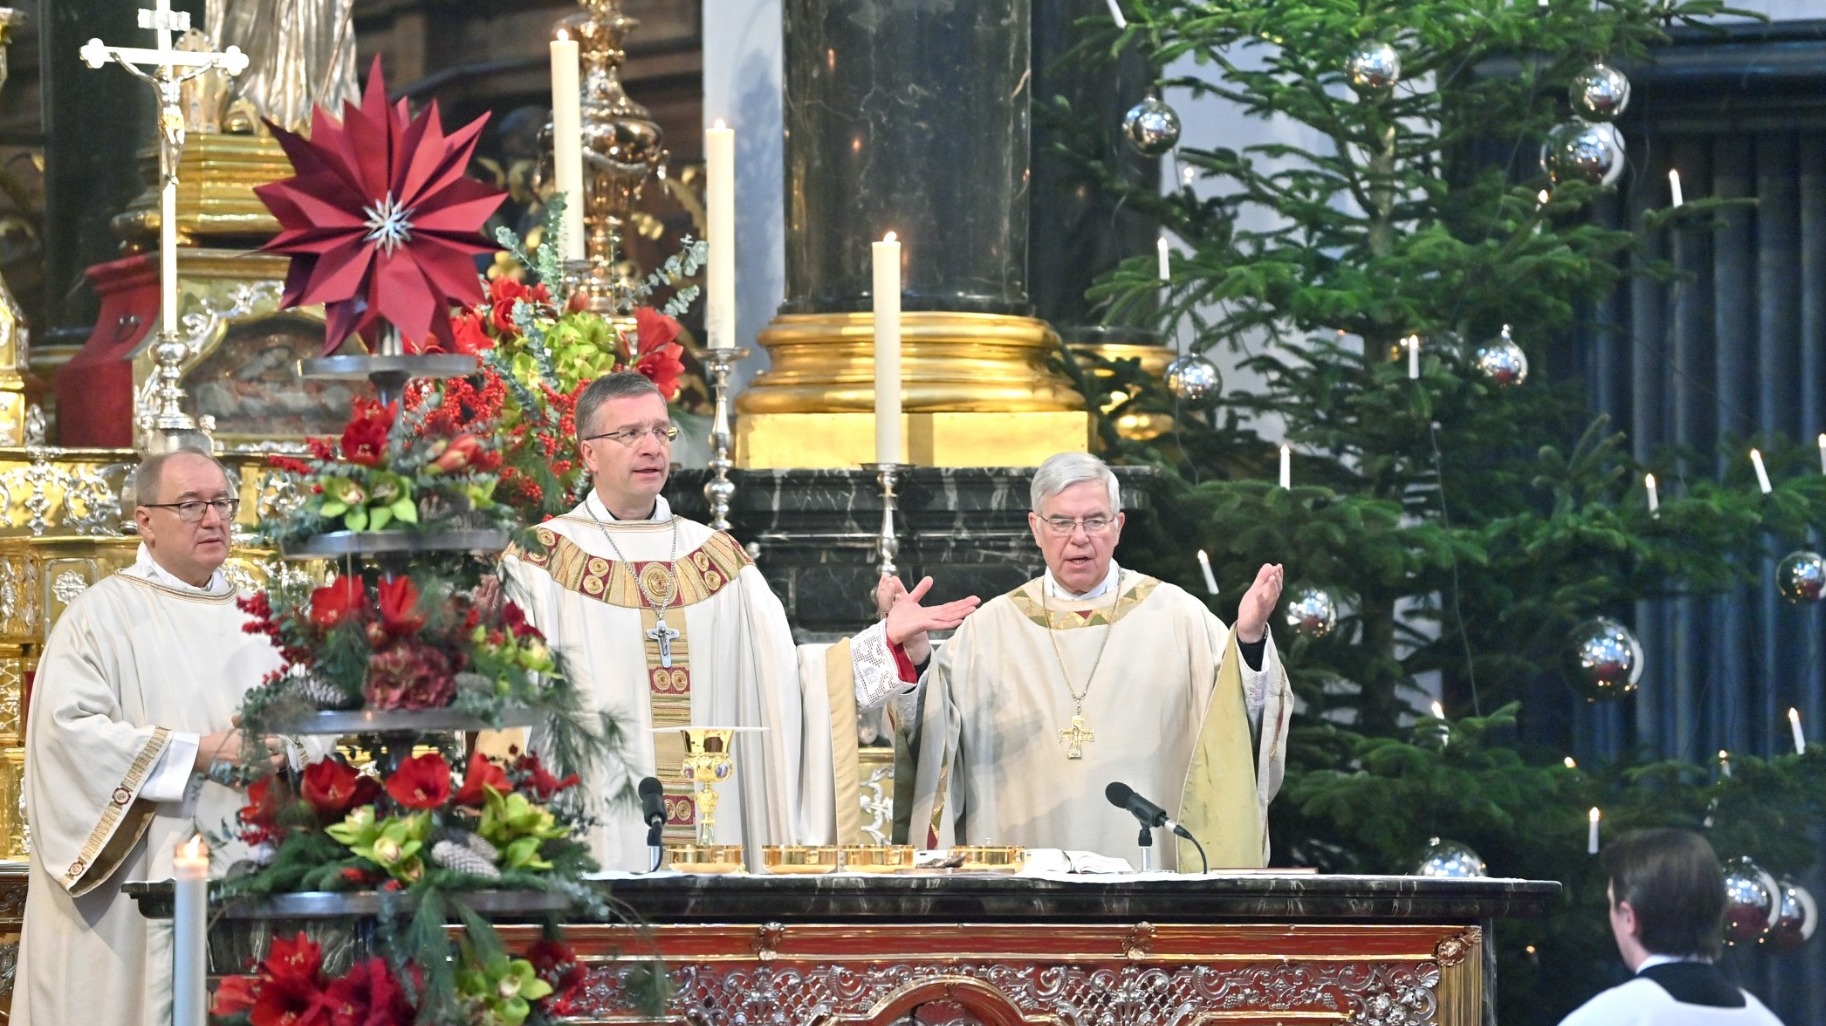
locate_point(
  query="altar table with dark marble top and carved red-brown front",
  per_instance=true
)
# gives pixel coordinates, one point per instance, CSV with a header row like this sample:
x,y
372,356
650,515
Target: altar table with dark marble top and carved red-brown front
x,y
1018,952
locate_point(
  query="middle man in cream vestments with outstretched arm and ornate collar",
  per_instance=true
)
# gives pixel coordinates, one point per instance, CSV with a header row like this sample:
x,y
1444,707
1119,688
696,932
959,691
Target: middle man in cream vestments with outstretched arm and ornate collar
x,y
666,623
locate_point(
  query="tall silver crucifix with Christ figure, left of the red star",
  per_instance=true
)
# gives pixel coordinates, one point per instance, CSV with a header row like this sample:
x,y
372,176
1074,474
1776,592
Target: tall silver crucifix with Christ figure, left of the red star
x,y
167,70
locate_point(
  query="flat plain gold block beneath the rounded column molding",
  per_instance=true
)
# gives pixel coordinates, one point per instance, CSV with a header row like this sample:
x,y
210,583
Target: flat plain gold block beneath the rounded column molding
x,y
824,441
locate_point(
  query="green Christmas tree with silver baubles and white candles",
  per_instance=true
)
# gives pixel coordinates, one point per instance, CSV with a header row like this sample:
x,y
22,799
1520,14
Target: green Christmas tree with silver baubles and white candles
x,y
1453,525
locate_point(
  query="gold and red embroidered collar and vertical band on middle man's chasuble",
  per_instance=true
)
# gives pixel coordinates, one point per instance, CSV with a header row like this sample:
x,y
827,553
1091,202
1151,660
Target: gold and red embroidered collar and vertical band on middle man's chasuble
x,y
702,574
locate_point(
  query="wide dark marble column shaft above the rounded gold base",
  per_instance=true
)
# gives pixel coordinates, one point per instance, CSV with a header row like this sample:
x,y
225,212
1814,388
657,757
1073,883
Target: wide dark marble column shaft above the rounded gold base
x,y
910,118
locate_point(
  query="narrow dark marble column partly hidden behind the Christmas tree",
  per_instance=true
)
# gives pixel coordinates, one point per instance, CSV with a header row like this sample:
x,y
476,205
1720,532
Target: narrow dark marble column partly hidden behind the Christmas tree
x,y
1078,231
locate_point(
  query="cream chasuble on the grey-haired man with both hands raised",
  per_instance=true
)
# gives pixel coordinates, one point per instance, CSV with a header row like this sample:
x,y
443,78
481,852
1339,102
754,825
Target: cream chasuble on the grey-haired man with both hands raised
x,y
998,737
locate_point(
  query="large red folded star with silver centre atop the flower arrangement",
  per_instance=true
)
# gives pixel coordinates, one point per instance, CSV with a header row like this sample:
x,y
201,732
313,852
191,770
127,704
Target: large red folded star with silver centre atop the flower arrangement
x,y
381,220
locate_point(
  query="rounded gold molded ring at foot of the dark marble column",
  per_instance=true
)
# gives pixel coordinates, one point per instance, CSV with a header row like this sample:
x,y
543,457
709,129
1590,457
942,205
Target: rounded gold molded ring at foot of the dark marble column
x,y
949,362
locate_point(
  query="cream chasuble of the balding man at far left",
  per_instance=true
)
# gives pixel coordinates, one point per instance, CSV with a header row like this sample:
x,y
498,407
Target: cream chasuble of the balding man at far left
x,y
129,664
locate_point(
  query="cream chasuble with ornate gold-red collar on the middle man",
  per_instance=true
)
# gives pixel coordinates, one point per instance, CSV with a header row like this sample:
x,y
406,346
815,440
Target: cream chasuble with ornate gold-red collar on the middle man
x,y
733,665
